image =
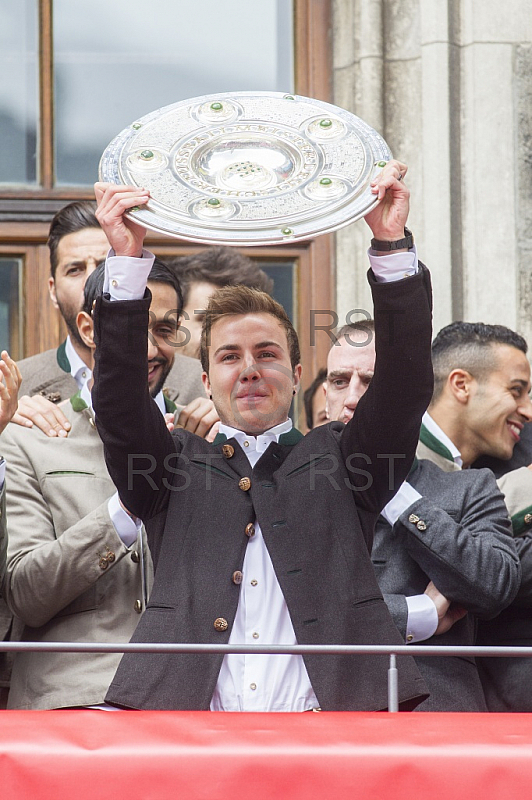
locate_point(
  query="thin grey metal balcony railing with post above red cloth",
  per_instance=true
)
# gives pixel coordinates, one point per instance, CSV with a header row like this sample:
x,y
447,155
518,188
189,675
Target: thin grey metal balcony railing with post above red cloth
x,y
299,649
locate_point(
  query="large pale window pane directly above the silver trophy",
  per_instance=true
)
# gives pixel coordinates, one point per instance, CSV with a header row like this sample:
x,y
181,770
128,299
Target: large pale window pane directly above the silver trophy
x,y
116,61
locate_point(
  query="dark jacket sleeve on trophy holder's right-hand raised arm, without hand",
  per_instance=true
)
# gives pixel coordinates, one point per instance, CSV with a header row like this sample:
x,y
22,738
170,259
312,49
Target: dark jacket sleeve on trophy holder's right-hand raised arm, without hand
x,y
379,442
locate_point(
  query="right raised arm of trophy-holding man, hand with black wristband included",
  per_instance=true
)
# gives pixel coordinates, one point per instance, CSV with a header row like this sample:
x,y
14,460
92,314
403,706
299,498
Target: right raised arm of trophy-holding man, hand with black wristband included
x,y
380,440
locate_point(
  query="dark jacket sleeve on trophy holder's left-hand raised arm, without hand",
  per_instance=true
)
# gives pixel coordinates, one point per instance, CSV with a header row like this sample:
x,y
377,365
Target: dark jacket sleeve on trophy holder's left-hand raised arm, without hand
x,y
140,453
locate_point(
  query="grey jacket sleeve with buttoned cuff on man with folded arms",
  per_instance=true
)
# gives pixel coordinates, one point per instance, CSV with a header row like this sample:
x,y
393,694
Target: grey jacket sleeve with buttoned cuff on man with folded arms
x,y
469,554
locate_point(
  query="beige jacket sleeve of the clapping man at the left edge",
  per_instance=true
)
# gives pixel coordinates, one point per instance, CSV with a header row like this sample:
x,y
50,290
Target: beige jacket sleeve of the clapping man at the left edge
x,y
46,571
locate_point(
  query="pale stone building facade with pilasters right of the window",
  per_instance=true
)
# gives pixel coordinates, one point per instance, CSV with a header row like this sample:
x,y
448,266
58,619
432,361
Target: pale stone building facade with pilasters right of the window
x,y
449,85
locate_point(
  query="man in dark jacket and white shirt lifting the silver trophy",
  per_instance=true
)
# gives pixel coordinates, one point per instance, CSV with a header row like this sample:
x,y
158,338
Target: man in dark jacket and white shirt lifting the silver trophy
x,y
263,537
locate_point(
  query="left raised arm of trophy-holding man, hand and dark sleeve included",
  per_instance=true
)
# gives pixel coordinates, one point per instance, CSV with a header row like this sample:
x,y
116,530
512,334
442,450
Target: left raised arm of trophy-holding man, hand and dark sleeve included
x,y
136,440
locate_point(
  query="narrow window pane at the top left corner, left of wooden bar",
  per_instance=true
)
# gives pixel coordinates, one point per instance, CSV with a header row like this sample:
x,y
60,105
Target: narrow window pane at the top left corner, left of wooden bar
x,y
18,91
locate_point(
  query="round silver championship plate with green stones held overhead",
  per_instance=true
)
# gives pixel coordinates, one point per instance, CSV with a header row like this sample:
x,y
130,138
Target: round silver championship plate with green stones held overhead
x,y
248,168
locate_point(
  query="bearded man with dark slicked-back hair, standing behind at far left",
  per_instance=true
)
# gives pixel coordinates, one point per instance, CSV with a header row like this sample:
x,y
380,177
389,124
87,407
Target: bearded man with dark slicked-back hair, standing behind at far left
x,y
77,244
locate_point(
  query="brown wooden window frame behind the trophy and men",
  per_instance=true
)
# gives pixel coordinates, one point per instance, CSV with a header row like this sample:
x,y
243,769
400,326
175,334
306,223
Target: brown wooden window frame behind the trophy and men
x,y
25,213
